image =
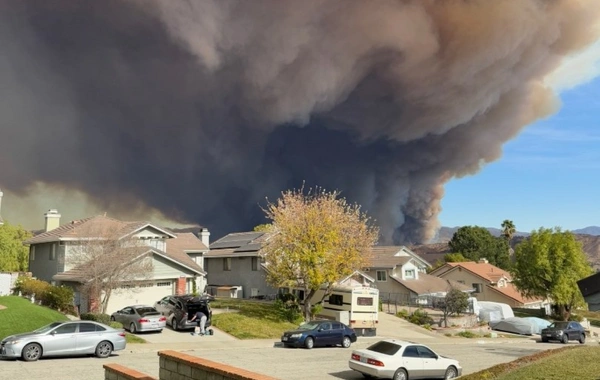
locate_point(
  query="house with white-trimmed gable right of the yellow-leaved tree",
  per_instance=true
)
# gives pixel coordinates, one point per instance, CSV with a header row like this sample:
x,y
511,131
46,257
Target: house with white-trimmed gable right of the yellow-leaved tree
x,y
400,275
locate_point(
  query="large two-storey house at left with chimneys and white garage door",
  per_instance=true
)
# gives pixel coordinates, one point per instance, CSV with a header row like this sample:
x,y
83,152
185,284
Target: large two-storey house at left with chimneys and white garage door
x,y
176,259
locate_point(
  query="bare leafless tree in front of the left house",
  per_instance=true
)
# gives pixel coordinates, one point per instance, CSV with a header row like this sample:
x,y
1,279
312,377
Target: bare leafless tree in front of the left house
x,y
105,258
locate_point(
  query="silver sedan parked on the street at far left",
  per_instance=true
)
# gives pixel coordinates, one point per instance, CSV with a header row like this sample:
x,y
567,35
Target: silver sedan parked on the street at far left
x,y
64,339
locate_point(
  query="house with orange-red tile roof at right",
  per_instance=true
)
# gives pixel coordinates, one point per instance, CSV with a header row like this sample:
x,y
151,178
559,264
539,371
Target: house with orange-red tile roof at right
x,y
489,282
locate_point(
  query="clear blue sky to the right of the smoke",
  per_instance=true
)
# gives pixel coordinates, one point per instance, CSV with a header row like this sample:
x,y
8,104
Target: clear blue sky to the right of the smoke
x,y
548,176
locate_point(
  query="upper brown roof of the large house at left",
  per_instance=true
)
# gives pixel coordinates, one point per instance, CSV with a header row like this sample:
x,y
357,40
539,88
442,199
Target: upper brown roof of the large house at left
x,y
77,229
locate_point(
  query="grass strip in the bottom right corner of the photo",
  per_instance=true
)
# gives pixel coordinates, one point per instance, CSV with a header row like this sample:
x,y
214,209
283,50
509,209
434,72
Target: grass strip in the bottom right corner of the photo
x,y
574,362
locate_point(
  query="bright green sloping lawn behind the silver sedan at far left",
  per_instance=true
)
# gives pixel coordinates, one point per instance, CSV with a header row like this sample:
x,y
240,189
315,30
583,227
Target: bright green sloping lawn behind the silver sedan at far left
x,y
22,316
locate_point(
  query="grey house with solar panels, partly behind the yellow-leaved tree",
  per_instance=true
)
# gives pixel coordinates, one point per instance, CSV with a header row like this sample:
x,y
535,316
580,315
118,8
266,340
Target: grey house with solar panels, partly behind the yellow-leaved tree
x,y
235,268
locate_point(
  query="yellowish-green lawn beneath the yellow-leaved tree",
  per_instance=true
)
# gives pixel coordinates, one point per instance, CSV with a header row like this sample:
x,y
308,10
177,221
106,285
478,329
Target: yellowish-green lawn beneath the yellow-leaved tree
x,y
253,319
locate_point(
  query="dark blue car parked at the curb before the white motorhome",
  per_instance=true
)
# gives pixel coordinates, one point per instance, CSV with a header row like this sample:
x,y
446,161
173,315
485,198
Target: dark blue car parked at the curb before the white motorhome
x,y
319,333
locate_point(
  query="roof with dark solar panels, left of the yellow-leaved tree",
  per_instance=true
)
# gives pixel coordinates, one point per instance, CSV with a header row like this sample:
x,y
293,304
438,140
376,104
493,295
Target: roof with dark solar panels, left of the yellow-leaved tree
x,y
237,244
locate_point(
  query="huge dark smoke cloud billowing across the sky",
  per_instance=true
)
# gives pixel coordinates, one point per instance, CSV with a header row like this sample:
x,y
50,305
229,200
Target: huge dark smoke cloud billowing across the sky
x,y
202,108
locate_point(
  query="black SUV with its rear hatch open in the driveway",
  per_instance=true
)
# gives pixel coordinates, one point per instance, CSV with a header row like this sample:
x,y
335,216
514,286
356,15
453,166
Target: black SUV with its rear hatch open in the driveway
x,y
180,309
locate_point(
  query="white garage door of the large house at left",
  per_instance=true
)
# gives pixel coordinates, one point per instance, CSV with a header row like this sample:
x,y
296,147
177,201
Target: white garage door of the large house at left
x,y
146,295
